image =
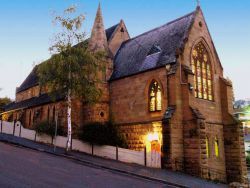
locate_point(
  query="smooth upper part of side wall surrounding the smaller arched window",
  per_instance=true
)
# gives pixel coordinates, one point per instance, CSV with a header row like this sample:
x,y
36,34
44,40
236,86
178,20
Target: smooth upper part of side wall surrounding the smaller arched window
x,y
129,98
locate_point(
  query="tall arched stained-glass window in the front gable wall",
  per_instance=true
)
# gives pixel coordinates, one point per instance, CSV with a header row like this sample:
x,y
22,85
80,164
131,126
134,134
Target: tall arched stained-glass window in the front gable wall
x,y
201,67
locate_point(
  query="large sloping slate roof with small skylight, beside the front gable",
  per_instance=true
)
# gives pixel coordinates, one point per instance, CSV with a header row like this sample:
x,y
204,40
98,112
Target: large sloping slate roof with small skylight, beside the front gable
x,y
133,58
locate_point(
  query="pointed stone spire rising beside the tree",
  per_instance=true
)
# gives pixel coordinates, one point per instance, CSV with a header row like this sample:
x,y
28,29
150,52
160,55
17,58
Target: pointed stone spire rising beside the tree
x,y
98,39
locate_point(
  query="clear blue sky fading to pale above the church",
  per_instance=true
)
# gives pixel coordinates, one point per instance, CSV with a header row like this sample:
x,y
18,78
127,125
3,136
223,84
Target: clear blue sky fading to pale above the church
x,y
26,31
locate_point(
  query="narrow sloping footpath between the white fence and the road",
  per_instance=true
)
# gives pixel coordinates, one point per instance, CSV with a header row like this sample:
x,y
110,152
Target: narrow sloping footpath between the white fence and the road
x,y
161,175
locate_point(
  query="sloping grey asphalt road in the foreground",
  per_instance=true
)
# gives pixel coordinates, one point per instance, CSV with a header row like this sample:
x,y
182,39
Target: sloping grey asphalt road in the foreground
x,y
22,168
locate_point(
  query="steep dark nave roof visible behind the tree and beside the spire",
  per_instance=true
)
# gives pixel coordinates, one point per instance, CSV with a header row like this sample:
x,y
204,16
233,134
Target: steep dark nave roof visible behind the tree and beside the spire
x,y
32,79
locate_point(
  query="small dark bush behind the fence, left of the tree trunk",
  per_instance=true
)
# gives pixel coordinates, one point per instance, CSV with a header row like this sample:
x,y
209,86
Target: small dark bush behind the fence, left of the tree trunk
x,y
48,128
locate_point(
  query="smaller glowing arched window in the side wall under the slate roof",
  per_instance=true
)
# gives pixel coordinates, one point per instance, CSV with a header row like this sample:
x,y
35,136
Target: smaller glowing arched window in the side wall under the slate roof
x,y
155,97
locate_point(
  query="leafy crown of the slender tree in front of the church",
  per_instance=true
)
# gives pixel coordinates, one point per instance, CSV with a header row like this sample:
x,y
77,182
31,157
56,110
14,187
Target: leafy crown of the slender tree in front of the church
x,y
72,69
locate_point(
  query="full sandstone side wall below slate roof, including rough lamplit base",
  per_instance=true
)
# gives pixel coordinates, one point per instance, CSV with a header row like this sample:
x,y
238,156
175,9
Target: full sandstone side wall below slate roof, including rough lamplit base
x,y
129,106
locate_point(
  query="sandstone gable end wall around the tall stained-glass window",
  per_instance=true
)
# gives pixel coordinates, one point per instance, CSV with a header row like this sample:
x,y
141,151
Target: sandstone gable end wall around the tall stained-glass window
x,y
212,126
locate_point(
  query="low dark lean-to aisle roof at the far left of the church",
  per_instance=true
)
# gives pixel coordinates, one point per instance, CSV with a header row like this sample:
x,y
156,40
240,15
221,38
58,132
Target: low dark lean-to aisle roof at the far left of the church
x,y
35,101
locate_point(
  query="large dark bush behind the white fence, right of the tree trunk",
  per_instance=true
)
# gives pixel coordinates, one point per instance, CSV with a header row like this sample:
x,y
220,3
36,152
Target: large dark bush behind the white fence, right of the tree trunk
x,y
102,134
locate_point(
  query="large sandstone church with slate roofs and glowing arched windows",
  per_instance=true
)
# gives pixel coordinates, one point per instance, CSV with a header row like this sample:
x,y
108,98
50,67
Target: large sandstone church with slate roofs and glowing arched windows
x,y
168,82
